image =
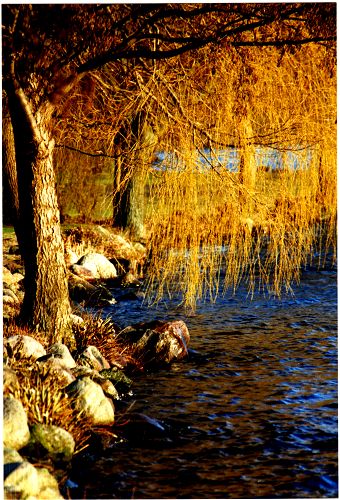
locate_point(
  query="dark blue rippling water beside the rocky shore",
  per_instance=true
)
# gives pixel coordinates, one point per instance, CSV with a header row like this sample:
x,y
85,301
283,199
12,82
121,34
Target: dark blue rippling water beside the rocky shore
x,y
252,413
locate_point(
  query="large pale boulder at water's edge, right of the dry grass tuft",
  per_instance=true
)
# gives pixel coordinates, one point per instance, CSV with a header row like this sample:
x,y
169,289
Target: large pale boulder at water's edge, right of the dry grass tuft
x,y
90,399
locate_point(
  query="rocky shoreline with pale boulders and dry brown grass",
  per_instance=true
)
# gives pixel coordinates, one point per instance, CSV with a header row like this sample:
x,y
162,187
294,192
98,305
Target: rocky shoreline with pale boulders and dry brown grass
x,y
58,401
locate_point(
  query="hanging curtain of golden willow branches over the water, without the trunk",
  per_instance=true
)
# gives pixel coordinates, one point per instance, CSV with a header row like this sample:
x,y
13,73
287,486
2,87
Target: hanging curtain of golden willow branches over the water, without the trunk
x,y
258,225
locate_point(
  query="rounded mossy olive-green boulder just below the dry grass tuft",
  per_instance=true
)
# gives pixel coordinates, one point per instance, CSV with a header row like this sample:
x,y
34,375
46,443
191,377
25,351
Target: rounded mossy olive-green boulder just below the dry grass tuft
x,y
55,441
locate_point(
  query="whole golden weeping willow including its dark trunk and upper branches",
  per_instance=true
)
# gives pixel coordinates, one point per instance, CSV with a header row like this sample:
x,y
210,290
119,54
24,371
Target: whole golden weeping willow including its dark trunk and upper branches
x,y
245,185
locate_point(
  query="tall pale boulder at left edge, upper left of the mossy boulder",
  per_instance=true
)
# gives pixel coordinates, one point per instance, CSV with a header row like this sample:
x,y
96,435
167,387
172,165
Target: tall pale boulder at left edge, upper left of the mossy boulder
x,y
16,433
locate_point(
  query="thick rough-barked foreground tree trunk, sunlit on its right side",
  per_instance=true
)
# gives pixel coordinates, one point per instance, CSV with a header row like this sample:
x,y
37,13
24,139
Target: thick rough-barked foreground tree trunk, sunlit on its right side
x,y
46,305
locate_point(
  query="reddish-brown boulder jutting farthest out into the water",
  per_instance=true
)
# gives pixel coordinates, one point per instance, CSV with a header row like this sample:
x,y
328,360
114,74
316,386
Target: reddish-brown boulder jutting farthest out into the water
x,y
157,343
